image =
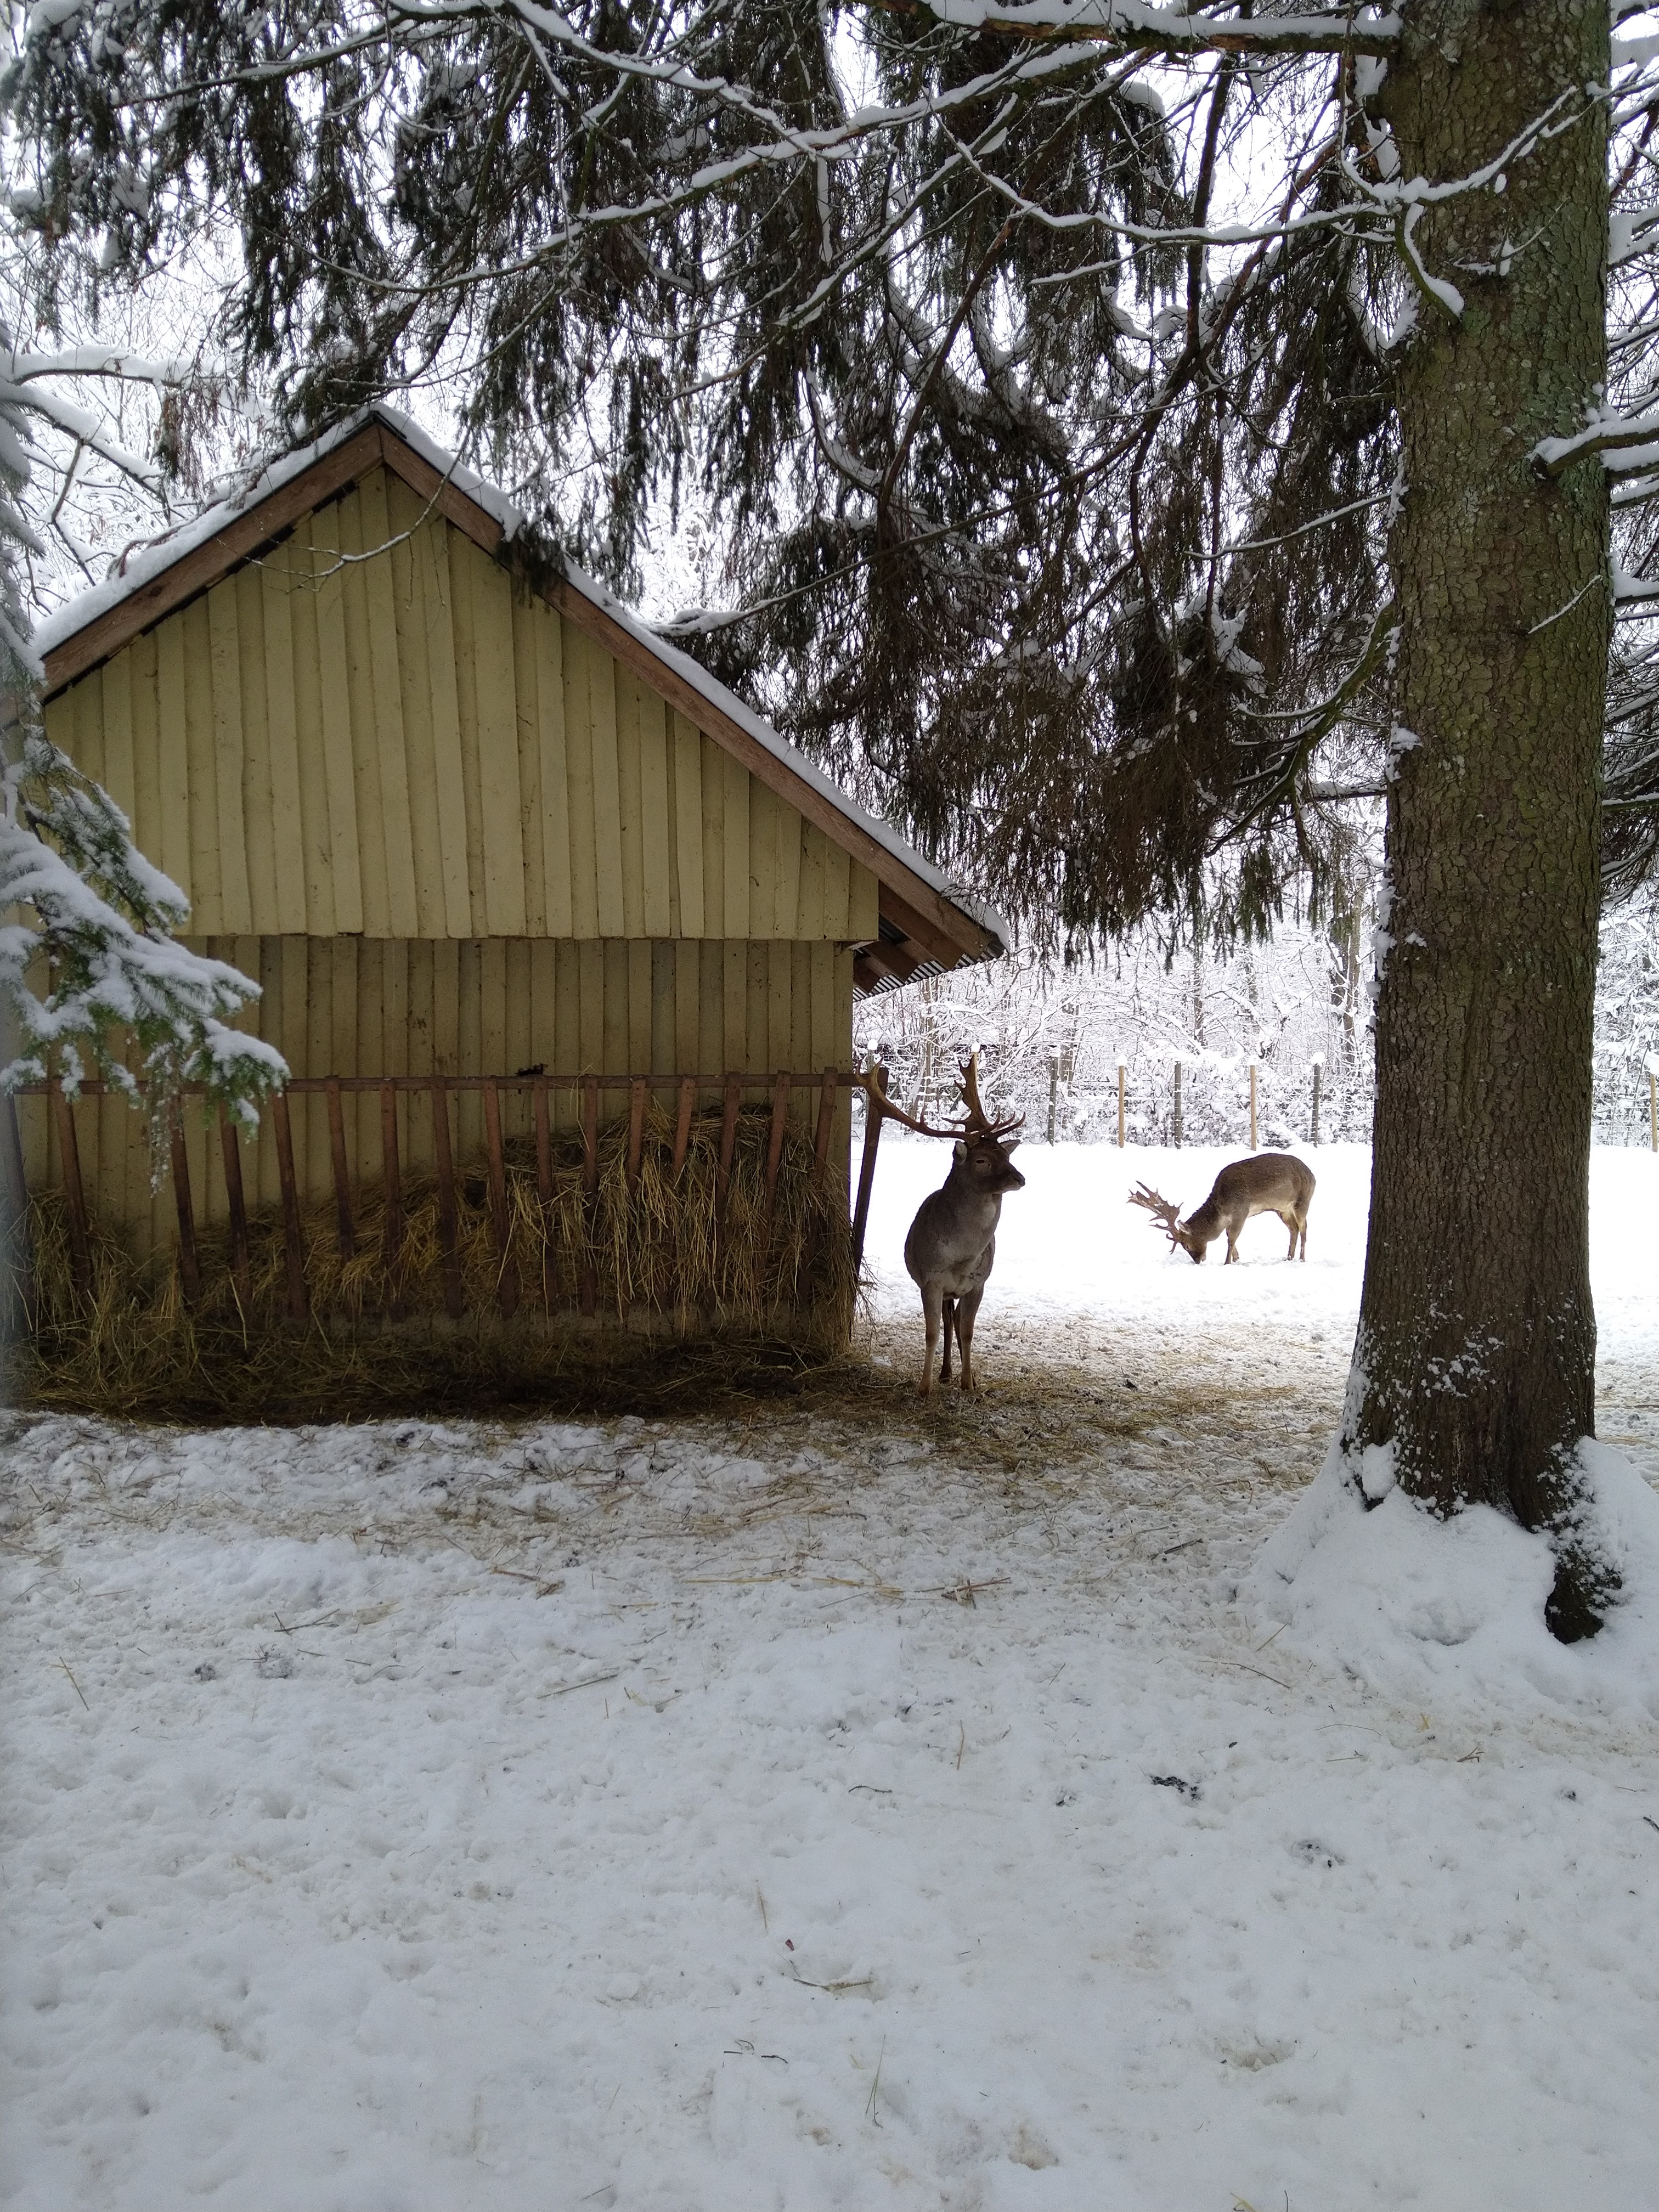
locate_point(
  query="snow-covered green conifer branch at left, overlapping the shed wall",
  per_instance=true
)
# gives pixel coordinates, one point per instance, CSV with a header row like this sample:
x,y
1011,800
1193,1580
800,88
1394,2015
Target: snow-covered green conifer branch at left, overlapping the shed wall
x,y
98,977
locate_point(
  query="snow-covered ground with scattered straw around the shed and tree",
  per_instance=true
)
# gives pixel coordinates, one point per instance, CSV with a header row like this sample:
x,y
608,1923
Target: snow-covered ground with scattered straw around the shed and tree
x,y
853,1806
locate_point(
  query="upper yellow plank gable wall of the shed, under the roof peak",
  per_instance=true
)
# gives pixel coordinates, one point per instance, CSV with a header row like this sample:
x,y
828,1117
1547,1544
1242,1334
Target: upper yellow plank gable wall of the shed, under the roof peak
x,y
404,747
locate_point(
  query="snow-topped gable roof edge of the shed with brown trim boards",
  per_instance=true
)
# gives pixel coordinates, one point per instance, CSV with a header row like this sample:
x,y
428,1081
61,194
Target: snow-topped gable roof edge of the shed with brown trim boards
x,y
928,926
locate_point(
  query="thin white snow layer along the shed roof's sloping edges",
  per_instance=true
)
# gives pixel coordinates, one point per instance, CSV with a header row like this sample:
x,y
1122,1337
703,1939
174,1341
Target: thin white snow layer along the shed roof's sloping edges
x,y
269,479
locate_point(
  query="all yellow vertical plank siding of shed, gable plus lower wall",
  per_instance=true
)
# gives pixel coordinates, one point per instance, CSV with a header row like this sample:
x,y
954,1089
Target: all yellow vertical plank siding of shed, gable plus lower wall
x,y
448,835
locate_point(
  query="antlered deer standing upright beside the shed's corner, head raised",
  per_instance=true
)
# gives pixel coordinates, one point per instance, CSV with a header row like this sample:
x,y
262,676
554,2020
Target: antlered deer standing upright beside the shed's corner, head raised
x,y
952,1242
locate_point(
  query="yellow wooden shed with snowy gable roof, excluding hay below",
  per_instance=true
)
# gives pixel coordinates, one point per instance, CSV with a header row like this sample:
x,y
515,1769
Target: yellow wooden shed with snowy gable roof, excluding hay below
x,y
503,864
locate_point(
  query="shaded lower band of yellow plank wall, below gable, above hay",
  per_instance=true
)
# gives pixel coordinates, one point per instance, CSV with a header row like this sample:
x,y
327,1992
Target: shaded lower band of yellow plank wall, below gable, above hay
x,y
470,1008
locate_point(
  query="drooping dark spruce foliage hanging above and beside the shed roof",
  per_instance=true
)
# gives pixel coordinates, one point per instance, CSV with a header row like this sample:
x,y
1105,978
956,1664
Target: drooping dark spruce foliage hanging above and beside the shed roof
x,y
1054,514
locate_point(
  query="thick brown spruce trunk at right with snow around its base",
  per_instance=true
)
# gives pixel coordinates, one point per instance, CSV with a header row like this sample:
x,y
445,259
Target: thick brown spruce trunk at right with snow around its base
x,y
1477,1350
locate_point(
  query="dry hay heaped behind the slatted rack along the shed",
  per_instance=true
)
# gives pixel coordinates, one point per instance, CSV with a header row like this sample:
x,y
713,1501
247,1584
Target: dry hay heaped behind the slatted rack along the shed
x,y
689,1308
